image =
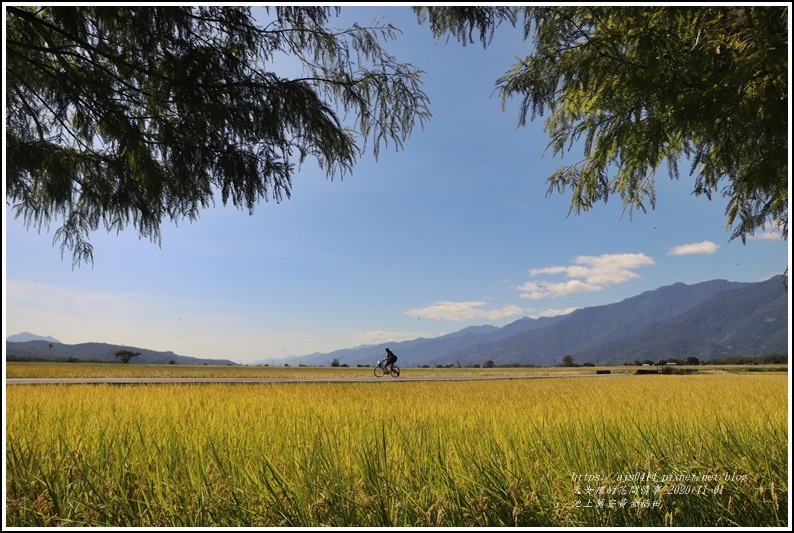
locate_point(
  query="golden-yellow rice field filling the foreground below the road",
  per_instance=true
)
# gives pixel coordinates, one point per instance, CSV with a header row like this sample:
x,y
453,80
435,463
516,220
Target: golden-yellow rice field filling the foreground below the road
x,y
625,450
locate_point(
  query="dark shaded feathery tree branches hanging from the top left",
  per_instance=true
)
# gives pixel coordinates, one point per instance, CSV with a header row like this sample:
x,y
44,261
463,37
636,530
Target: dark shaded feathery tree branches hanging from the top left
x,y
121,116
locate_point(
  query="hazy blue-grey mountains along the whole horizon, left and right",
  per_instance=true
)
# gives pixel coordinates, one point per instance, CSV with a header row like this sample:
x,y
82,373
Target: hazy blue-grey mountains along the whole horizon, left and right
x,y
708,320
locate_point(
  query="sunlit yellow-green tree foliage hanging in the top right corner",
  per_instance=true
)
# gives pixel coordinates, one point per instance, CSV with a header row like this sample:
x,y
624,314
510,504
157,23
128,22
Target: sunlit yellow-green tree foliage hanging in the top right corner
x,y
641,87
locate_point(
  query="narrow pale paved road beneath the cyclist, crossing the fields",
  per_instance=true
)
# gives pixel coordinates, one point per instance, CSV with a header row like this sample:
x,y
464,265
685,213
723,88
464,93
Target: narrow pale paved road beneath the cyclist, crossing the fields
x,y
121,381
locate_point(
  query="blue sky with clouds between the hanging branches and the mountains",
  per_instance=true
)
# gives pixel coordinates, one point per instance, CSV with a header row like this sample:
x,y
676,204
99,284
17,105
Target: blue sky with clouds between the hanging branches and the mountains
x,y
452,231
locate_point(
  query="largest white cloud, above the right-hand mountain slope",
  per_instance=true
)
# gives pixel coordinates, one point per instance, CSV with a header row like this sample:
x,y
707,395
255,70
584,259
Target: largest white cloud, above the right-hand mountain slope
x,y
588,273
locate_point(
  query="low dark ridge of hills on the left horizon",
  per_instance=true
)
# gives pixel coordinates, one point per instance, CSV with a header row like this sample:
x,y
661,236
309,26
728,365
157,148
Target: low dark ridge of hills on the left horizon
x,y
94,351
